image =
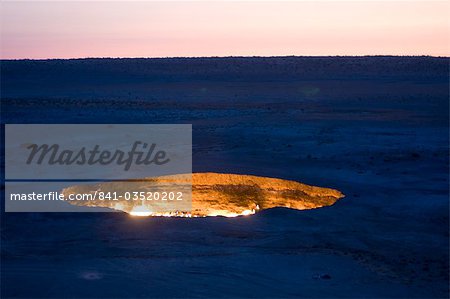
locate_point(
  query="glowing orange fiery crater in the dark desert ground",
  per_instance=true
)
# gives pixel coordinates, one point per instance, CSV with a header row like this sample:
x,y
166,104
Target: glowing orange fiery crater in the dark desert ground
x,y
213,194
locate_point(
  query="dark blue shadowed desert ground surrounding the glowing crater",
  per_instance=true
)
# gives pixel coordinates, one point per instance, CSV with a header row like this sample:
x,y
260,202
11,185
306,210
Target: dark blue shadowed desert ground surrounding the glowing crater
x,y
375,128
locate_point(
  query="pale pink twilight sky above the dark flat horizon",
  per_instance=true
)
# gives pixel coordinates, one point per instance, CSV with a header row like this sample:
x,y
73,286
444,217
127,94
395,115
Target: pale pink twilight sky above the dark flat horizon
x,y
222,28
